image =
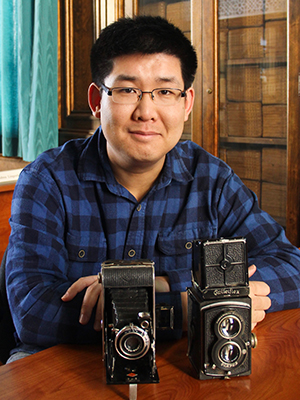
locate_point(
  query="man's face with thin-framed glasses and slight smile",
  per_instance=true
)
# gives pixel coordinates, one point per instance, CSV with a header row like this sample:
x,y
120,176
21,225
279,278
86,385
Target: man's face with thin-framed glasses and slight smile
x,y
139,135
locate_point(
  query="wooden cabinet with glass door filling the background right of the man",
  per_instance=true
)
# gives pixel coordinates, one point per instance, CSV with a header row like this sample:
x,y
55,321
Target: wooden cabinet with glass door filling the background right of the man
x,y
247,102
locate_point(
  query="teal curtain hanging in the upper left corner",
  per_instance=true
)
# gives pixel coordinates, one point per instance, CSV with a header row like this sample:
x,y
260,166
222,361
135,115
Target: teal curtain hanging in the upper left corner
x,y
28,77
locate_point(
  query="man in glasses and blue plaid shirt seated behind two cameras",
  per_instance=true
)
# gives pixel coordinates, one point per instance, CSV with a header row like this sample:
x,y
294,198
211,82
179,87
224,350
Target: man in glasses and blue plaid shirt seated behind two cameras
x,y
132,191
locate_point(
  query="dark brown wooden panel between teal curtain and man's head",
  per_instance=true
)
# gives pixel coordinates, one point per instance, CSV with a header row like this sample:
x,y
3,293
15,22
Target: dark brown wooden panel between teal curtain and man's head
x,y
77,33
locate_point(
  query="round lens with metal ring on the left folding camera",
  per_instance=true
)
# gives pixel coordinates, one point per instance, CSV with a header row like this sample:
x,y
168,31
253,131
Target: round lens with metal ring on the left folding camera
x,y
132,342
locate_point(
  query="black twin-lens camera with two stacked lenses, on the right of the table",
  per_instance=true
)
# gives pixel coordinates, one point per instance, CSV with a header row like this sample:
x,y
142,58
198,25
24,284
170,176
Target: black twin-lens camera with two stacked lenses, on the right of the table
x,y
219,309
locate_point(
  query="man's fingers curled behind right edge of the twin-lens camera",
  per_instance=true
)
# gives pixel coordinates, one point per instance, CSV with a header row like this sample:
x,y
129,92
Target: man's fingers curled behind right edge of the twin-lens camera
x,y
260,301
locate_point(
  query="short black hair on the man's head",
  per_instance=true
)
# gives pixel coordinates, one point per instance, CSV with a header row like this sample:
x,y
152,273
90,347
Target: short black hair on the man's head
x,y
142,35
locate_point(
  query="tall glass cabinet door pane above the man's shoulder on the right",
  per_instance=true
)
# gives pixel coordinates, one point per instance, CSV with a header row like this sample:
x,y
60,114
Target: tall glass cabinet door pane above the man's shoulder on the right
x,y
253,97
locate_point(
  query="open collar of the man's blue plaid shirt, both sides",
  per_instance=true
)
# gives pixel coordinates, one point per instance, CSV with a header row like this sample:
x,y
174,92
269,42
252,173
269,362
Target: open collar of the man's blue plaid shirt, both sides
x,y
94,164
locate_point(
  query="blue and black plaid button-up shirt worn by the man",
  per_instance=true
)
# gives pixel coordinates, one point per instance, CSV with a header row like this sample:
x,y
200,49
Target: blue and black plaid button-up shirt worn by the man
x,y
69,214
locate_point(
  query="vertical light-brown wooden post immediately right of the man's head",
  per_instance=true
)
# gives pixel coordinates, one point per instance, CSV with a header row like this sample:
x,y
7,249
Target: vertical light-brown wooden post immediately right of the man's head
x,y
205,121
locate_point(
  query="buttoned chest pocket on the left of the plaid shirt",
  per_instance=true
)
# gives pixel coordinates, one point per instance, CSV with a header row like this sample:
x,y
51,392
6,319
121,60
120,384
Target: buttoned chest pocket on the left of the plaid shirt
x,y
89,247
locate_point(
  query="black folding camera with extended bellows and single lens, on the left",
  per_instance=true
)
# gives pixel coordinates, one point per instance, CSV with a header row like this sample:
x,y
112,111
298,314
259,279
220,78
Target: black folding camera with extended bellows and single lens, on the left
x,y
129,321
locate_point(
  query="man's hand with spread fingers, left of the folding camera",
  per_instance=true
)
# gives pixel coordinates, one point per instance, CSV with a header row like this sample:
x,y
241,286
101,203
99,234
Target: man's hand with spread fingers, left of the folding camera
x,y
93,296
